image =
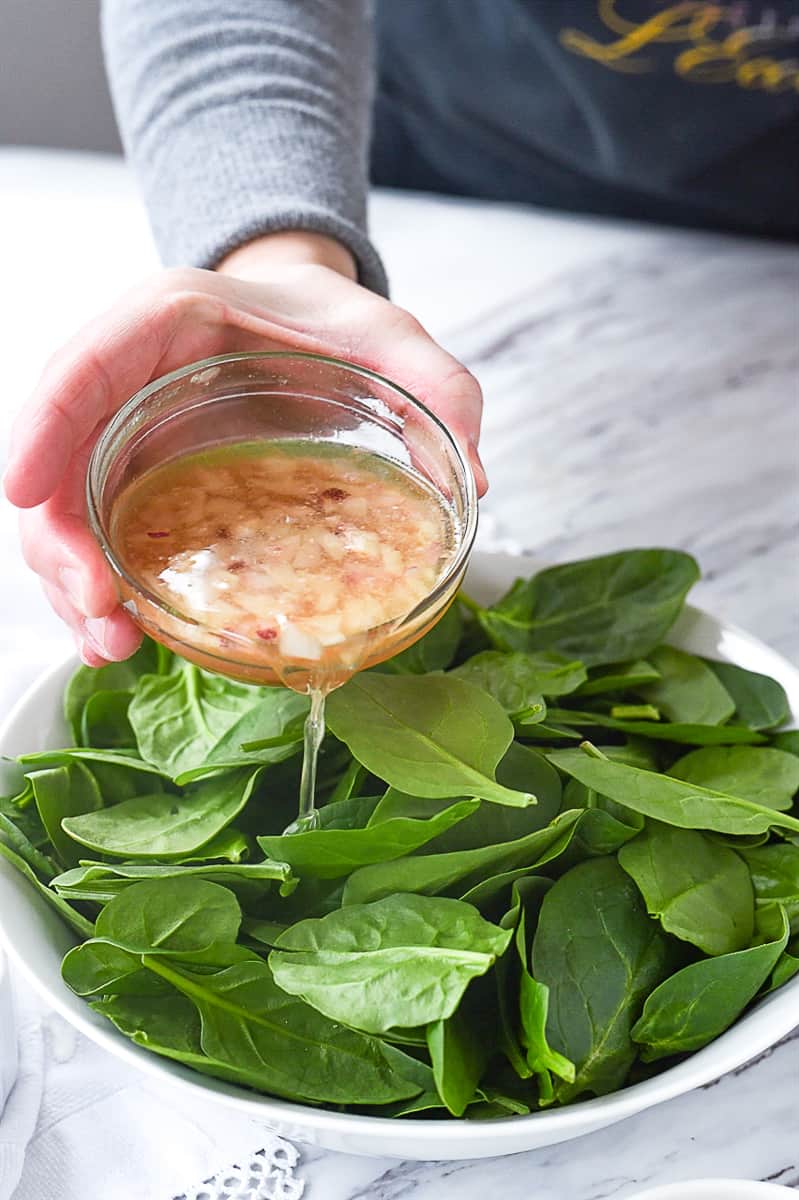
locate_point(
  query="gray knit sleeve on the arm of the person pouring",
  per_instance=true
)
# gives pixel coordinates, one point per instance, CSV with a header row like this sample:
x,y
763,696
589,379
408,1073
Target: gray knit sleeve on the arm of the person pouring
x,y
247,117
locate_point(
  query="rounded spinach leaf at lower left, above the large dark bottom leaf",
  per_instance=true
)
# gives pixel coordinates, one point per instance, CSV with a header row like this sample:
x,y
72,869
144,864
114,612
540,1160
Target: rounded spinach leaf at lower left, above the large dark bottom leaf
x,y
170,916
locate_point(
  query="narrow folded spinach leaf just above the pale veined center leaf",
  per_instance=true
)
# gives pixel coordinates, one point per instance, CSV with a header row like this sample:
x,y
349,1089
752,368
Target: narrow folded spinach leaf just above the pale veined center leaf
x,y
462,869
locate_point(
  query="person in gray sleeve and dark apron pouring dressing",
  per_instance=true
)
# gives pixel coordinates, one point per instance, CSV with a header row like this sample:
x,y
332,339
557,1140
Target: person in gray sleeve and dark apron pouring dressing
x,y
255,127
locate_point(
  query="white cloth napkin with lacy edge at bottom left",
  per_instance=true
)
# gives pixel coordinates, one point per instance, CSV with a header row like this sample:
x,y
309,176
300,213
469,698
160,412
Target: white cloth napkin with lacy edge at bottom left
x,y
80,1125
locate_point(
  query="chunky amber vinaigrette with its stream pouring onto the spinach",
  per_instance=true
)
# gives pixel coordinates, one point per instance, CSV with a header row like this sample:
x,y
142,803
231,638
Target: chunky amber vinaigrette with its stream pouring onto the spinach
x,y
297,557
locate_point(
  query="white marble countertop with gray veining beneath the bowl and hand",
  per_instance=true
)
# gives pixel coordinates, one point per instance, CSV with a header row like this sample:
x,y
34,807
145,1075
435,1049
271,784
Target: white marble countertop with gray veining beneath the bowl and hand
x,y
641,389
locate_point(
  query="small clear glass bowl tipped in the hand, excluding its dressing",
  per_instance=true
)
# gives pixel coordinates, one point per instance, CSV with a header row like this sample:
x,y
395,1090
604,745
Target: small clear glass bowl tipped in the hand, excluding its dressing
x,y
277,397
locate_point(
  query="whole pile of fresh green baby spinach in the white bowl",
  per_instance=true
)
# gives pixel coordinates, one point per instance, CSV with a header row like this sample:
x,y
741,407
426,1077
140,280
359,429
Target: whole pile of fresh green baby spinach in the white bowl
x,y
477,927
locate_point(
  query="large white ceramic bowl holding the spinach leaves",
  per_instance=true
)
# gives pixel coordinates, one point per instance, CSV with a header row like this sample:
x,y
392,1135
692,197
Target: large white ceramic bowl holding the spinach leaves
x,y
37,940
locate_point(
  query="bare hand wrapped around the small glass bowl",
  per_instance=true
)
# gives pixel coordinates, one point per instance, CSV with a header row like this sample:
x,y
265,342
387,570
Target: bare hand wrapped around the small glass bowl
x,y
284,291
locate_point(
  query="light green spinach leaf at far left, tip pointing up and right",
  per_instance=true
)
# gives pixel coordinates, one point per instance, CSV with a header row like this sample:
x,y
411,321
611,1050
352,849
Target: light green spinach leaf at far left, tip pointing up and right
x,y
164,825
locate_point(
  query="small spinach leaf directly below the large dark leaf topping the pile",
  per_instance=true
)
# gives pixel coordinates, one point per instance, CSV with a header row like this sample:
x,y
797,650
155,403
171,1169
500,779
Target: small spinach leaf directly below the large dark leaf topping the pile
x,y
519,682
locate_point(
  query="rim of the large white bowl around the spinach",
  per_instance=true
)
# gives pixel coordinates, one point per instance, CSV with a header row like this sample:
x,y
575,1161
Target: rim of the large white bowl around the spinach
x,y
705,1066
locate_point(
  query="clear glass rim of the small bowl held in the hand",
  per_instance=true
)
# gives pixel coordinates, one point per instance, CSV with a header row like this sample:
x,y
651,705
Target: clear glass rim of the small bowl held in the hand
x,y
93,490
